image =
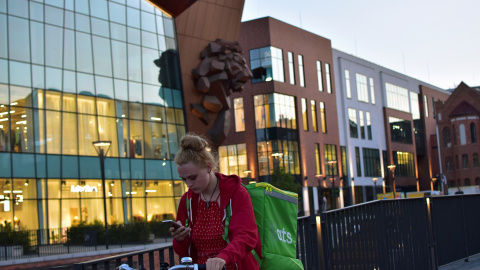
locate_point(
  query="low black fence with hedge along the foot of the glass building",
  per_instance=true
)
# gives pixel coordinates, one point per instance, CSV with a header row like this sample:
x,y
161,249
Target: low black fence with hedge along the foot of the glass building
x,y
38,243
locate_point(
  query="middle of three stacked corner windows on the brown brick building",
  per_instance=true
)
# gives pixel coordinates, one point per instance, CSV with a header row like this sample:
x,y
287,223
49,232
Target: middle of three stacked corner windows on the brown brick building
x,y
275,110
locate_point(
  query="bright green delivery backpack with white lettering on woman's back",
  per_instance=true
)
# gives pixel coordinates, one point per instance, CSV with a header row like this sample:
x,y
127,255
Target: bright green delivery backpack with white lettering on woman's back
x,y
276,217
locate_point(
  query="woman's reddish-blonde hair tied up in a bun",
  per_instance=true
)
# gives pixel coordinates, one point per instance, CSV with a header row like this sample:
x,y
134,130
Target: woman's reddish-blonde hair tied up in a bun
x,y
193,147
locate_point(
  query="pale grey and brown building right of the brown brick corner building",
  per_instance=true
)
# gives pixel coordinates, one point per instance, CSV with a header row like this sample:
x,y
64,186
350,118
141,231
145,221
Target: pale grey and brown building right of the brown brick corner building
x,y
386,118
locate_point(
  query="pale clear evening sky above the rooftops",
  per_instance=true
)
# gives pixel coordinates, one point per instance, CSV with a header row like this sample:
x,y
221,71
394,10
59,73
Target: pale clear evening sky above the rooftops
x,y
435,41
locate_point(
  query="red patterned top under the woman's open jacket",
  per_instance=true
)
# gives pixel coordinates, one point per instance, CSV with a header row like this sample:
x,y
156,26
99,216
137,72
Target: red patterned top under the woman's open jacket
x,y
208,233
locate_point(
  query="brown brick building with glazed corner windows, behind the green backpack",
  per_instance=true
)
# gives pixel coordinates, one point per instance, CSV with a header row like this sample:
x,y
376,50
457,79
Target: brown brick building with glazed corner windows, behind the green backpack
x,y
286,116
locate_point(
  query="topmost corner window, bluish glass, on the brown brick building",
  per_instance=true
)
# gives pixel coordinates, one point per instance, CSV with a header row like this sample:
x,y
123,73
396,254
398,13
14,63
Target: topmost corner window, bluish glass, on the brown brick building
x,y
267,64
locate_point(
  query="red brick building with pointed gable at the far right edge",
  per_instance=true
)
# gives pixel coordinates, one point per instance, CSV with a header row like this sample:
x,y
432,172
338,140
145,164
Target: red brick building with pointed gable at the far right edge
x,y
458,121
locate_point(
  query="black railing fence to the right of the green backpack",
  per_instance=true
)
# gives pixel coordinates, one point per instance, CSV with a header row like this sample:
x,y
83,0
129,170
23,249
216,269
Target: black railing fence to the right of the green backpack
x,y
420,233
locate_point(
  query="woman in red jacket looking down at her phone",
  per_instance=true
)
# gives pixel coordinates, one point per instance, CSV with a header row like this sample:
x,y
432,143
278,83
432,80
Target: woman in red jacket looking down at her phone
x,y
203,216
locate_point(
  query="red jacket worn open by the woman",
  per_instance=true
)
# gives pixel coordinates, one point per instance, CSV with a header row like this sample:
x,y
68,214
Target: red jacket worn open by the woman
x,y
242,231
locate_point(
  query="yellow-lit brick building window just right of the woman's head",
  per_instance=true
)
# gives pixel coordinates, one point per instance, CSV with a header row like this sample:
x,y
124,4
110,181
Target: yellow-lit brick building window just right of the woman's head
x,y
233,159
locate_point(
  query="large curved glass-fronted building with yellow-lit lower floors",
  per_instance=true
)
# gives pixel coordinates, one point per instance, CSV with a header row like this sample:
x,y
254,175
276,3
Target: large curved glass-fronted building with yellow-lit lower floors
x,y
73,72
